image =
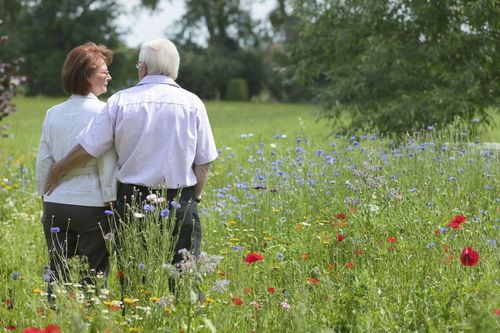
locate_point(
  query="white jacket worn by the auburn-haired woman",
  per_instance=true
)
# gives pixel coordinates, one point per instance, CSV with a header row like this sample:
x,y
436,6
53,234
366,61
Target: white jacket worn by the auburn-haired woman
x,y
93,184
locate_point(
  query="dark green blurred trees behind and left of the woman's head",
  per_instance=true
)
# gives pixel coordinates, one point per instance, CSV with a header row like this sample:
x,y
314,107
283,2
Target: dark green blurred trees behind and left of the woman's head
x,y
48,29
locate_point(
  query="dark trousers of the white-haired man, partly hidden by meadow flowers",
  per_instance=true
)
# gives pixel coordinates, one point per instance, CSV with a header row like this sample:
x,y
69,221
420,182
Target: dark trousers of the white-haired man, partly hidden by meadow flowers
x,y
187,228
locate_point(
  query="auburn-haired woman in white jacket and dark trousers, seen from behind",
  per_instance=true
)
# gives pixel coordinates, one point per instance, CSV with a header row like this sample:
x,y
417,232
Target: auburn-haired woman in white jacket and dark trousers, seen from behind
x,y
74,215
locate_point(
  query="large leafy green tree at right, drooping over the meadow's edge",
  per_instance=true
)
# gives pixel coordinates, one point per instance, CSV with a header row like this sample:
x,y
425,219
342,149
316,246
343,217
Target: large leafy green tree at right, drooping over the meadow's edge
x,y
399,64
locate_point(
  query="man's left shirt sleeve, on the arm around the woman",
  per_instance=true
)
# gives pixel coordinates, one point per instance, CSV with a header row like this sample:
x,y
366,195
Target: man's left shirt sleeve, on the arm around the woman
x,y
98,136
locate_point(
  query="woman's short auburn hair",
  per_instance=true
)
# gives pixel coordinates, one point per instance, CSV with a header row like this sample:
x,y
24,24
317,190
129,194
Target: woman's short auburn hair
x,y
81,62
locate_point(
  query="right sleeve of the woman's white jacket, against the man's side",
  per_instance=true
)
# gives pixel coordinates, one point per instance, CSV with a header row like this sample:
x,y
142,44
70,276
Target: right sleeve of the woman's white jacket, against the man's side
x,y
107,168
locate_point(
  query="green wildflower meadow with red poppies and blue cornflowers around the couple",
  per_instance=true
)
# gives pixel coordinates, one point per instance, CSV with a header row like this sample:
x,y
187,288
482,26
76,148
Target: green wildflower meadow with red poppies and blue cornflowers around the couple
x,y
304,230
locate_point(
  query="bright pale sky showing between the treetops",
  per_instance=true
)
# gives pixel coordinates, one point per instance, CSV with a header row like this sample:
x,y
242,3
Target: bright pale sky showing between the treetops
x,y
142,25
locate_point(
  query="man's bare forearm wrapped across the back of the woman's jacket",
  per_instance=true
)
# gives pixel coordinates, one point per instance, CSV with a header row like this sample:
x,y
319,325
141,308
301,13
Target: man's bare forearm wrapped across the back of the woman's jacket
x,y
76,157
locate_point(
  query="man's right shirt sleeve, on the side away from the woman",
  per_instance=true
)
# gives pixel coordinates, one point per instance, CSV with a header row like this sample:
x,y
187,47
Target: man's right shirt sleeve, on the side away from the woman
x,y
206,151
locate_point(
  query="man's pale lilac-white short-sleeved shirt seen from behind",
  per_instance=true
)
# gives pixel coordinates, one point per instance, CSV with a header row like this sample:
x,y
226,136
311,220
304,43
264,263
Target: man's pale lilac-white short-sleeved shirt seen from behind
x,y
158,130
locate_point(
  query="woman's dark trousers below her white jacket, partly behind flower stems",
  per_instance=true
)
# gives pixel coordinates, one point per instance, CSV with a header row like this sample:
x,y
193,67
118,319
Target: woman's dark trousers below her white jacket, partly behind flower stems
x,y
75,230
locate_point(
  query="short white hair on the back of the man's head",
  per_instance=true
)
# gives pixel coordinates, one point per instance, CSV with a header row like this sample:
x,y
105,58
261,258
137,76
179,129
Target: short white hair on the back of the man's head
x,y
161,57
